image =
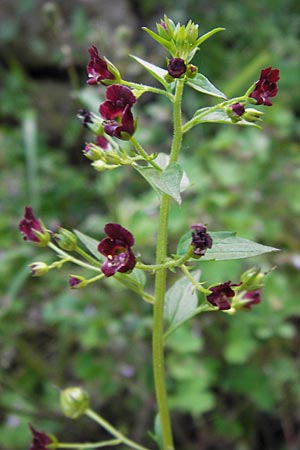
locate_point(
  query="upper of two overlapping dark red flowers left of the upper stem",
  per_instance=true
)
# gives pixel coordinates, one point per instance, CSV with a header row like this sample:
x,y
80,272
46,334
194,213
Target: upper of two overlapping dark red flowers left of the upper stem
x,y
117,98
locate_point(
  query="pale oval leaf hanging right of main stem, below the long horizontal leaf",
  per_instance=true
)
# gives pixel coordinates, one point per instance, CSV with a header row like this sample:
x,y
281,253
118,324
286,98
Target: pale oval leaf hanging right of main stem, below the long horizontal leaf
x,y
181,301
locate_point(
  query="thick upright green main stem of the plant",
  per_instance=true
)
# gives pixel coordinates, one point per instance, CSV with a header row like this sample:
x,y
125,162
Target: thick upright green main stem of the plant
x,y
160,286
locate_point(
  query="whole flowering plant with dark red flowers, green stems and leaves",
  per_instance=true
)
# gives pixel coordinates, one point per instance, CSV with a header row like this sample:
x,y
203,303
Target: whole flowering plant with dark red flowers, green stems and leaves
x,y
114,256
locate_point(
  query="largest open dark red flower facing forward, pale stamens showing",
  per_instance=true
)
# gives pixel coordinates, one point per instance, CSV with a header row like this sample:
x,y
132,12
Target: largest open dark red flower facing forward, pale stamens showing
x,y
117,249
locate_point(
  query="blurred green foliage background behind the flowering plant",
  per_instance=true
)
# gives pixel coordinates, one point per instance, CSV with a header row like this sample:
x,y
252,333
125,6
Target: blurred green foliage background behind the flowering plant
x,y
233,381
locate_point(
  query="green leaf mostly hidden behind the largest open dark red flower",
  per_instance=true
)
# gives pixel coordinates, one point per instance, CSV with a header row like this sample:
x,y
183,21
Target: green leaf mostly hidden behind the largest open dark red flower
x,y
135,280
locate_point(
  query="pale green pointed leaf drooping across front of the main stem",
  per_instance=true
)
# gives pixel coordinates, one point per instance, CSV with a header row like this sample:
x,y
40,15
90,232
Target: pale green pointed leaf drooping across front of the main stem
x,y
167,180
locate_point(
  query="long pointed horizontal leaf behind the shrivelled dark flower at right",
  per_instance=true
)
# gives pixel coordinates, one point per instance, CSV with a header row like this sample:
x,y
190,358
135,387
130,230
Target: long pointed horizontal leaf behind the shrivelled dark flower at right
x,y
225,246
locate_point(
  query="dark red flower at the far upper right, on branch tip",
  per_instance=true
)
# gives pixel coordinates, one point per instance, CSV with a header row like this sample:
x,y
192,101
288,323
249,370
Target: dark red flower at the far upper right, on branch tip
x,y
266,86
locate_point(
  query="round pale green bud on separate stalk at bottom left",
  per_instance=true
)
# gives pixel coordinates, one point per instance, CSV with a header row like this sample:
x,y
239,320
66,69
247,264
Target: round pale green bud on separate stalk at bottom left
x,y
74,402
